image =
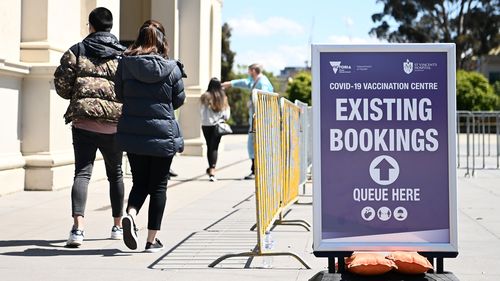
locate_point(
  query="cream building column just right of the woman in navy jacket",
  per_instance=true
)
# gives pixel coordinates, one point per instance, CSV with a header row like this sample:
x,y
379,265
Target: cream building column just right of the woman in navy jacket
x,y
196,47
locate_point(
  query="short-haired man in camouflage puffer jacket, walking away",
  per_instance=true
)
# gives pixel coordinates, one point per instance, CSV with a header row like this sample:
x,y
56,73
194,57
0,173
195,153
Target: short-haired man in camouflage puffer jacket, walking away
x,y
85,77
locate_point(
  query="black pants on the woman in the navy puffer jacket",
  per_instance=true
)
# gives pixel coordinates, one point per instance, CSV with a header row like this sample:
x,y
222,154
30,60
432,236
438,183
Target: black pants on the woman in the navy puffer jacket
x,y
149,177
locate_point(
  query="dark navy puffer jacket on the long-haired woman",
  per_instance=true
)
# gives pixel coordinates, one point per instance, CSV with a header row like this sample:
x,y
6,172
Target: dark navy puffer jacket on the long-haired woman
x,y
150,88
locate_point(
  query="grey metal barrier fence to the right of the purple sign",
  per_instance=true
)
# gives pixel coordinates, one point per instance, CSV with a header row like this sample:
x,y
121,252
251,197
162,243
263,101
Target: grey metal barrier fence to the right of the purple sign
x,y
478,127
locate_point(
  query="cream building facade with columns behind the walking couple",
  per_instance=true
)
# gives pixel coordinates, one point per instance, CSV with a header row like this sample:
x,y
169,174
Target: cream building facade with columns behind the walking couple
x,y
36,148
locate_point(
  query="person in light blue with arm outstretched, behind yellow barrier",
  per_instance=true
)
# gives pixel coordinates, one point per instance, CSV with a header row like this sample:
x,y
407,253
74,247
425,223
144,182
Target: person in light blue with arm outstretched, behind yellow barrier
x,y
256,80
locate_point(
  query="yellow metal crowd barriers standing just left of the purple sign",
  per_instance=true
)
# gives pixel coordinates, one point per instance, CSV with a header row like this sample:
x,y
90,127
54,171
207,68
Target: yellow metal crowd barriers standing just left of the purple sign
x,y
276,168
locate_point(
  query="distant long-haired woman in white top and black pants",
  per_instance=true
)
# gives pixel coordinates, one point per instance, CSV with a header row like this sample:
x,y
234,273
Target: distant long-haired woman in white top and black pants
x,y
214,107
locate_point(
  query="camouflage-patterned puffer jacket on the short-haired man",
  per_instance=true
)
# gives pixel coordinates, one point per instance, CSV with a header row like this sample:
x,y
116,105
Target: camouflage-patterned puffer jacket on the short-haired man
x,y
86,78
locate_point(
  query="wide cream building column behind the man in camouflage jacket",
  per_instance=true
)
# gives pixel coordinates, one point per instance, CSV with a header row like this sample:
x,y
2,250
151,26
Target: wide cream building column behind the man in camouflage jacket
x,y
47,141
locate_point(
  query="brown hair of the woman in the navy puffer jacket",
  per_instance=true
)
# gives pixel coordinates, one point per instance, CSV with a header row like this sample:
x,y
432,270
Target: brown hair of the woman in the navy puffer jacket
x,y
151,40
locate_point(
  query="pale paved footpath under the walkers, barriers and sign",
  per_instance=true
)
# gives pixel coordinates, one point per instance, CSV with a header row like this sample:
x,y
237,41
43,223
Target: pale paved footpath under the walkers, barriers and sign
x,y
204,221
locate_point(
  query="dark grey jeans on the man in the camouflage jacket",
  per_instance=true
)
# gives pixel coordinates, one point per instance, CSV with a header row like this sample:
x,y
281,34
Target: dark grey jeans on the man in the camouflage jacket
x,y
85,145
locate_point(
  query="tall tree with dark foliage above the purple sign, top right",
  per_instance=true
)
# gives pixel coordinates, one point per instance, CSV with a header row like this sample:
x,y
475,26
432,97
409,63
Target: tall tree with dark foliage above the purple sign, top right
x,y
472,25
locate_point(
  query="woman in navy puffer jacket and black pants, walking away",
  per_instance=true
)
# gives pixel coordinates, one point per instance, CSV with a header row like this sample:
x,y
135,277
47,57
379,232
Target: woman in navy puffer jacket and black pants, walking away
x,y
151,88
